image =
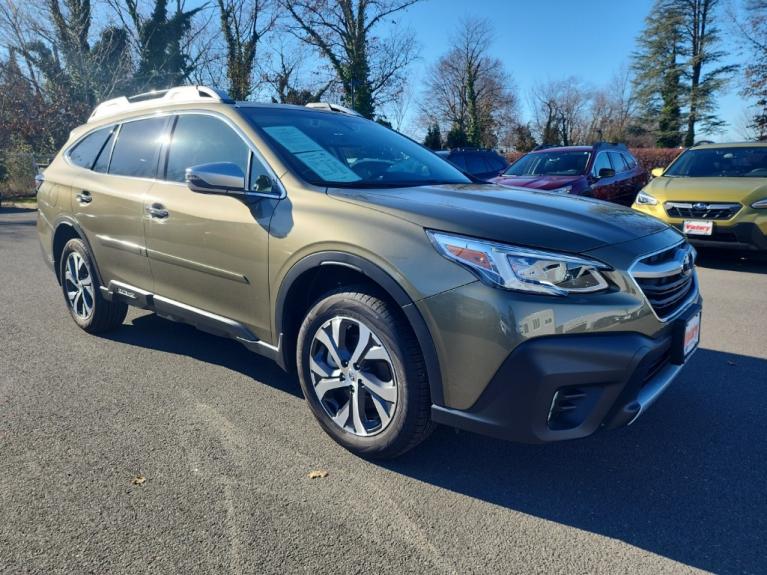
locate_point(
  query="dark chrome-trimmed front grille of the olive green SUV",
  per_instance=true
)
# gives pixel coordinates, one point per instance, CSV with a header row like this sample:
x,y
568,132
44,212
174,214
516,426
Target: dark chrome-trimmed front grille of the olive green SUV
x,y
666,278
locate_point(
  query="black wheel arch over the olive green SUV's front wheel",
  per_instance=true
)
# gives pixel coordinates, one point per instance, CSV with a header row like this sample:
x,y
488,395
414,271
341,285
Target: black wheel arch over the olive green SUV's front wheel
x,y
301,281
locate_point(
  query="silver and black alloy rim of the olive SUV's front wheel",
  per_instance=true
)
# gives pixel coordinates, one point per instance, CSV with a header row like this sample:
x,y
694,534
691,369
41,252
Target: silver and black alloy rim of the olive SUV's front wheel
x,y
353,376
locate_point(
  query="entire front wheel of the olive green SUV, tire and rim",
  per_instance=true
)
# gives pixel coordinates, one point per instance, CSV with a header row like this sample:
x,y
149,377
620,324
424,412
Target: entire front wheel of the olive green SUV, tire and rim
x,y
363,374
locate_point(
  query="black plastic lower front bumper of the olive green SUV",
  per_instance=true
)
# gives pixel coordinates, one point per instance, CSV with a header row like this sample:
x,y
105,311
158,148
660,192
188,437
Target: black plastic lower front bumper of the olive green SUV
x,y
568,386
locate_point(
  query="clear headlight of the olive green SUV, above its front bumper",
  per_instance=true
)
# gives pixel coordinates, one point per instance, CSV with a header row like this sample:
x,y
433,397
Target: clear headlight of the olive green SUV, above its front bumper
x,y
522,269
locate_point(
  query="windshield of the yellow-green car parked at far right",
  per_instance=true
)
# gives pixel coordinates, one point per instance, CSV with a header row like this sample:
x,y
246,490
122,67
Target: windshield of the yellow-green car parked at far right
x,y
721,163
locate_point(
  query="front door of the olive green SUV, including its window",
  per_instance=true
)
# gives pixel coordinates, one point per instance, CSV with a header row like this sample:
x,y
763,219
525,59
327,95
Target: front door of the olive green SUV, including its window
x,y
209,251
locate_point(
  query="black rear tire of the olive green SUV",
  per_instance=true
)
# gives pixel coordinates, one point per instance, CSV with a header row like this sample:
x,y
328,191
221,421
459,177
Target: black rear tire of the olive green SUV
x,y
103,315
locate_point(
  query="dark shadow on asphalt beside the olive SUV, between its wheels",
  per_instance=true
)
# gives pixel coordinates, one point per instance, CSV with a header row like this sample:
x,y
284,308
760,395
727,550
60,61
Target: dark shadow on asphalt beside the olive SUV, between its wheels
x,y
153,332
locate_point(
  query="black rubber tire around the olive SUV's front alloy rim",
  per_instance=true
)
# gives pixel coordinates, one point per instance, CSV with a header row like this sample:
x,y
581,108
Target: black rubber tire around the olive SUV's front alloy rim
x,y
410,422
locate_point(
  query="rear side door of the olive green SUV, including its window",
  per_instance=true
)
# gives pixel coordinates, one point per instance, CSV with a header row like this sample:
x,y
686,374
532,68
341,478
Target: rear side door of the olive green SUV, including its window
x,y
108,199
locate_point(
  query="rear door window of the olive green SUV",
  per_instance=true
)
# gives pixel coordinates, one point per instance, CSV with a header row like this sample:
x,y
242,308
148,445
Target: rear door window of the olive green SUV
x,y
138,148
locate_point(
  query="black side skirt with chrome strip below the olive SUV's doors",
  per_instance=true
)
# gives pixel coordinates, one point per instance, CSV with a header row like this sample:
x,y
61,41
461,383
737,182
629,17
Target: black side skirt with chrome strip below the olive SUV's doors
x,y
199,318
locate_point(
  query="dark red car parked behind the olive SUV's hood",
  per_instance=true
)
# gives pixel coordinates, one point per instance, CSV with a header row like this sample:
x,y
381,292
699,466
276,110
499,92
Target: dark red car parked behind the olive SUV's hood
x,y
604,171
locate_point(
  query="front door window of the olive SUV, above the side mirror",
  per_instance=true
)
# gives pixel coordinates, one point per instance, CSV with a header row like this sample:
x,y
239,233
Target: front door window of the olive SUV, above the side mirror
x,y
199,139
